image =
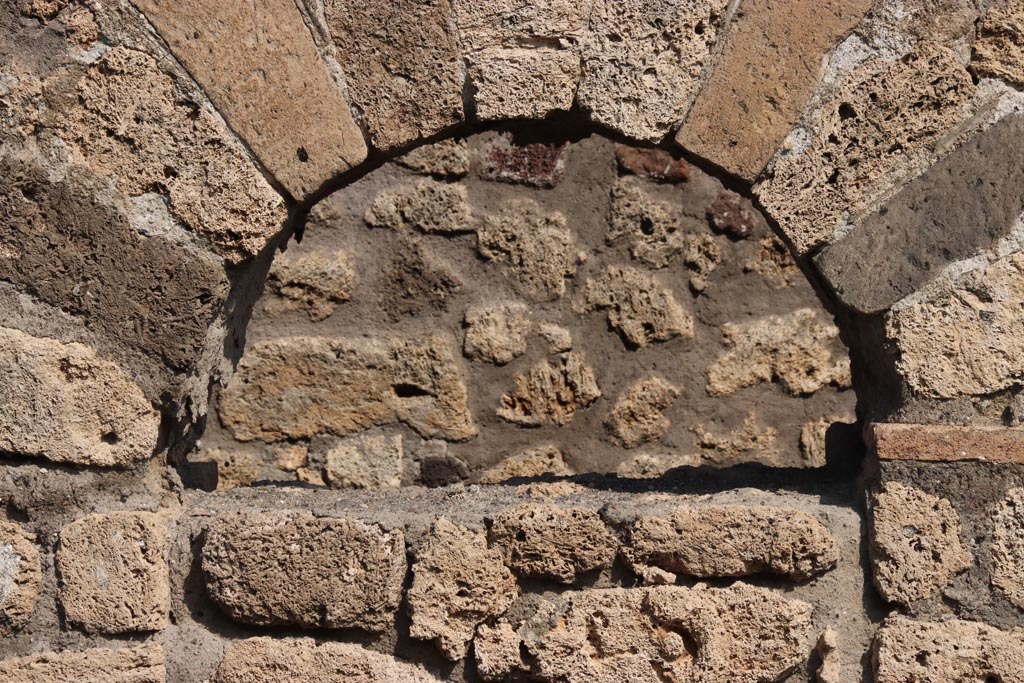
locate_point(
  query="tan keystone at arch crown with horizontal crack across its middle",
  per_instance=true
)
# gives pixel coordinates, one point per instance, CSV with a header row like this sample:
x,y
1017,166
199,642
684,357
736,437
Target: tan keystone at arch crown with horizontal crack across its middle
x,y
524,60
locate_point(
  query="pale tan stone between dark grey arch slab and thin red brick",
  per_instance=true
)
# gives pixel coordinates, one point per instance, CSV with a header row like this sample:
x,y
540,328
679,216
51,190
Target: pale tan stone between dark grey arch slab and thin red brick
x,y
964,337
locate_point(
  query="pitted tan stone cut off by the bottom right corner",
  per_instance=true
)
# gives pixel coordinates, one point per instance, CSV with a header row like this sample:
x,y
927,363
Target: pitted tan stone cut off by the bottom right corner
x,y
941,653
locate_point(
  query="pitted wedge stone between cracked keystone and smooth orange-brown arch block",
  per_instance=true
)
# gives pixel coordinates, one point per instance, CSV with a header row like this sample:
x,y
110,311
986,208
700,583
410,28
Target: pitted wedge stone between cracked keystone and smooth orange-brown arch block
x,y
643,63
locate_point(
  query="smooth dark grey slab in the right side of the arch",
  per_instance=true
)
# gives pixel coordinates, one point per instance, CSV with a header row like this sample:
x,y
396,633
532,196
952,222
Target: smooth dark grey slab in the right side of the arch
x,y
964,204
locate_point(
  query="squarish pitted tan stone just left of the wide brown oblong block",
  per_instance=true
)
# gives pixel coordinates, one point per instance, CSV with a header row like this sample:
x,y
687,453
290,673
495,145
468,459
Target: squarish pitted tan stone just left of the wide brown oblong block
x,y
114,574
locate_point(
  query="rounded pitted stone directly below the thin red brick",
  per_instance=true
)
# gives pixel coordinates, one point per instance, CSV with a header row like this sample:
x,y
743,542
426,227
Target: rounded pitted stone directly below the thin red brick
x,y
916,544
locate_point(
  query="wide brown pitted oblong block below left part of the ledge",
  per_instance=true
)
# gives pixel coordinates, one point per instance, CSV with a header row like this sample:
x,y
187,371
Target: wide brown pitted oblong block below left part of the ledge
x,y
285,569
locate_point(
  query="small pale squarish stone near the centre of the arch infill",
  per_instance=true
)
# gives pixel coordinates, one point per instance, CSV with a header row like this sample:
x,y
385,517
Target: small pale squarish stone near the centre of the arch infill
x,y
497,333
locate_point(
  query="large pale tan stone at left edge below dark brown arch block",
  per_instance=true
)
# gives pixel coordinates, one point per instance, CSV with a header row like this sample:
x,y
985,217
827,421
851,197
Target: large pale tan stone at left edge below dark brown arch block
x,y
63,403
